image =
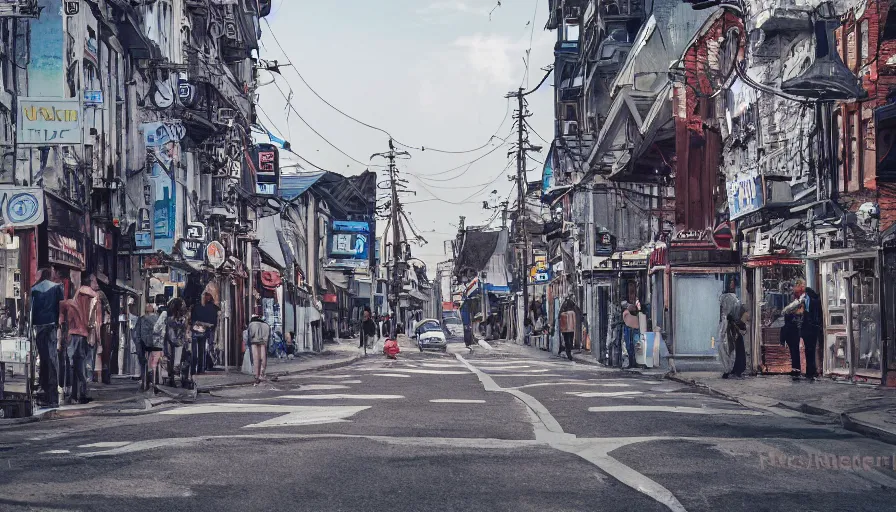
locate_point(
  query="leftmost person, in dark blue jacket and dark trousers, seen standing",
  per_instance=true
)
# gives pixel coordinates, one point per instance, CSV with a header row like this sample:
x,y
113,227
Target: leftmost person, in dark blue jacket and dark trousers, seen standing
x,y
45,298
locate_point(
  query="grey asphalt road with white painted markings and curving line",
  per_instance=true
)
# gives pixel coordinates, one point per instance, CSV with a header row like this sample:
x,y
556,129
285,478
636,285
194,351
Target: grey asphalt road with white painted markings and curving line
x,y
504,429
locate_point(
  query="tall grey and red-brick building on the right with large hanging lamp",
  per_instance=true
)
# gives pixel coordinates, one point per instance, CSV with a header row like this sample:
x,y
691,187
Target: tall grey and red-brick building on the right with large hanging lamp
x,y
727,147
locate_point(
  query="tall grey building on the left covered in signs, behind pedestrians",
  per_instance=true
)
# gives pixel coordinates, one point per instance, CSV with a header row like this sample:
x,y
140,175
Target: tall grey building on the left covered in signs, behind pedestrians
x,y
127,150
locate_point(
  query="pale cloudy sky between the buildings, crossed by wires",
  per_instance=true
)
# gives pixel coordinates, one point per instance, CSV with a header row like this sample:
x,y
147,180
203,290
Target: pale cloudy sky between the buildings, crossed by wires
x,y
431,73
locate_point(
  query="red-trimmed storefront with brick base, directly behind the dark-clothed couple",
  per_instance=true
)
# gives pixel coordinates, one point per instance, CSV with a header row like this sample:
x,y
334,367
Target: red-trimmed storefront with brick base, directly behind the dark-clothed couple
x,y
768,288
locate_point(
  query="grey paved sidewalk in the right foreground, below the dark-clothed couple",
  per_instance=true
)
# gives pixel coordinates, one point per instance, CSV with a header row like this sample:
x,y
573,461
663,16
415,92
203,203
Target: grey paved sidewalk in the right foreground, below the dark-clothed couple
x,y
868,410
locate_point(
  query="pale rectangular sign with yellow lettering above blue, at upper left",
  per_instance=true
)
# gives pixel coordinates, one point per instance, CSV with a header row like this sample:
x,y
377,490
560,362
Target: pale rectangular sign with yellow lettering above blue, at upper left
x,y
49,121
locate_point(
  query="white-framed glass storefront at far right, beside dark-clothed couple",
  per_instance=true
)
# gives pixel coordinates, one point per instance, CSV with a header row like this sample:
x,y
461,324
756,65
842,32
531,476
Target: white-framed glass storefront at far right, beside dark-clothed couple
x,y
850,290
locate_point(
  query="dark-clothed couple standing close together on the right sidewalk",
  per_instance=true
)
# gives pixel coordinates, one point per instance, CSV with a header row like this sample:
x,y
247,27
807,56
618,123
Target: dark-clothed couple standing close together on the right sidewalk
x,y
803,320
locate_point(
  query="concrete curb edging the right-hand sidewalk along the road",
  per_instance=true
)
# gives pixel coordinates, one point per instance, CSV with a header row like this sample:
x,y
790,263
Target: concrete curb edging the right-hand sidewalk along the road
x,y
804,411
